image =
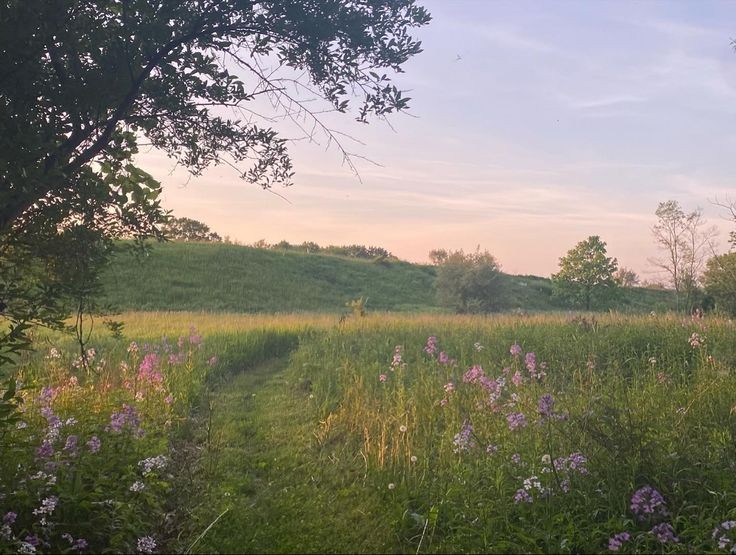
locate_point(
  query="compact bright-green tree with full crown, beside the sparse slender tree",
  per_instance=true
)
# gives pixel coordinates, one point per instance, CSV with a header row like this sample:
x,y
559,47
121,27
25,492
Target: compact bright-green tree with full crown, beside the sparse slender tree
x,y
586,275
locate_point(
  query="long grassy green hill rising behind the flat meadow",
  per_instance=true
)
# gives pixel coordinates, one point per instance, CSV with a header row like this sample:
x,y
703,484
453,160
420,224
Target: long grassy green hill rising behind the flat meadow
x,y
223,277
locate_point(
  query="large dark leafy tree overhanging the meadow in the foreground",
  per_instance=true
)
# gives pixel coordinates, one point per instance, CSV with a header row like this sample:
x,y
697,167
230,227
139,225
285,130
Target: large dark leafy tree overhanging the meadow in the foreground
x,y
83,84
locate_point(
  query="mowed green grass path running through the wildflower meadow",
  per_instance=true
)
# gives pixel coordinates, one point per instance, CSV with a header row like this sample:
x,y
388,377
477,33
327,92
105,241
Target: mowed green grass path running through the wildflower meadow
x,y
280,493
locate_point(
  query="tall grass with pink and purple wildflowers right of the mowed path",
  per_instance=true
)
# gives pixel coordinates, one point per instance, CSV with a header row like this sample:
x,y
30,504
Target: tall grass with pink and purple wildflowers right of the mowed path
x,y
634,402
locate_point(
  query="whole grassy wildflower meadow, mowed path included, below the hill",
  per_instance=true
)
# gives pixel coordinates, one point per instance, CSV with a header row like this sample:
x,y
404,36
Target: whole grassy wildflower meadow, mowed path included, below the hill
x,y
311,435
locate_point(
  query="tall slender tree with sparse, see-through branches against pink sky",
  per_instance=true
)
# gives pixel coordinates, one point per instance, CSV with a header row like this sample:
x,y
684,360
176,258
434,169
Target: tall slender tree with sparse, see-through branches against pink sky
x,y
686,242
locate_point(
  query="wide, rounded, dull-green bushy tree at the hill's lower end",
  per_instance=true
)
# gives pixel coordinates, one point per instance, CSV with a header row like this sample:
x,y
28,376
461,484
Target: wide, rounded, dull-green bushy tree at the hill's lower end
x,y
469,283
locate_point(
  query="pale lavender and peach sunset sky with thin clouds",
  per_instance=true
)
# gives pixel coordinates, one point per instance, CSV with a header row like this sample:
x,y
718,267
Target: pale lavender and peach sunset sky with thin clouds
x,y
532,126
